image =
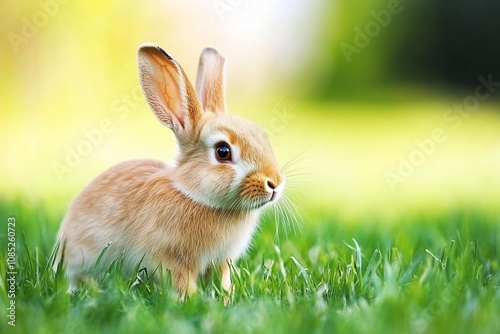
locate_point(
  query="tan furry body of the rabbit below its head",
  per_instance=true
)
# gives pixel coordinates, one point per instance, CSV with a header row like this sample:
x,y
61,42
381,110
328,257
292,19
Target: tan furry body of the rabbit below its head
x,y
118,206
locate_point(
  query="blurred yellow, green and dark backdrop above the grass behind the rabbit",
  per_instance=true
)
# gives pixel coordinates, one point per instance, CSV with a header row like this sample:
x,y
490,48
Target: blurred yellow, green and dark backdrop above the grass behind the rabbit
x,y
384,106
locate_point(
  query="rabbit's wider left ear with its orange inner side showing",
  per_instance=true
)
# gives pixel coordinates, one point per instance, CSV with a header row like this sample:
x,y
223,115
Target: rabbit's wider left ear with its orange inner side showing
x,y
167,90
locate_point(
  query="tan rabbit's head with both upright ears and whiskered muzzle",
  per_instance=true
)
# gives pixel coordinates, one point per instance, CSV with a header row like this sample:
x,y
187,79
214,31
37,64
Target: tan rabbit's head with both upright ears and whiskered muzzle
x,y
223,161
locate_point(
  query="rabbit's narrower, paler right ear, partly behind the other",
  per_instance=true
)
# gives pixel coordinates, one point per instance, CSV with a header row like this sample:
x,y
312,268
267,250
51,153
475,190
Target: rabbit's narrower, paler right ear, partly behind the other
x,y
210,81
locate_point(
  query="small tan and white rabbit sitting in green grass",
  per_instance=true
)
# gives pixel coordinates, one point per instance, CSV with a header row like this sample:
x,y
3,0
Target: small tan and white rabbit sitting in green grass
x,y
201,210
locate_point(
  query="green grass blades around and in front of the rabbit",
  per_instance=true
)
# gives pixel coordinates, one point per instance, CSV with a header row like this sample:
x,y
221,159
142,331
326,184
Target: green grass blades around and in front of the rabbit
x,y
422,274
